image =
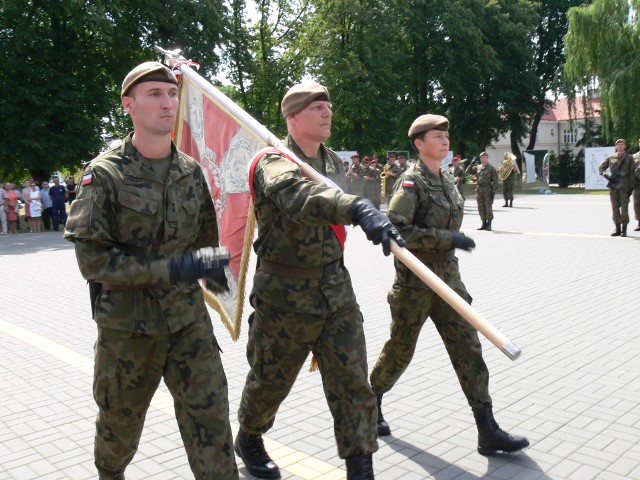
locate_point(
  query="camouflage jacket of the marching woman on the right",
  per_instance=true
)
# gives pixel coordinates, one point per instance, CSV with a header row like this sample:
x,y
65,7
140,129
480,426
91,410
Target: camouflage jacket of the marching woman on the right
x,y
425,209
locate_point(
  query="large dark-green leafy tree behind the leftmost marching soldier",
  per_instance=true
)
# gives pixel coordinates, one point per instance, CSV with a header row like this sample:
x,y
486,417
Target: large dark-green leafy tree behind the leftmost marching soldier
x,y
66,62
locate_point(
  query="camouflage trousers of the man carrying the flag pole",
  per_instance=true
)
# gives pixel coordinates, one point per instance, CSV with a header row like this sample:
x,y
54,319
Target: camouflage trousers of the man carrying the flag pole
x,y
314,316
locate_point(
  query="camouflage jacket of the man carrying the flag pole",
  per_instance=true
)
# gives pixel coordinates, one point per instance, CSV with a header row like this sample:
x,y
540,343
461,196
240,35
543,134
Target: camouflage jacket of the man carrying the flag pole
x,y
294,214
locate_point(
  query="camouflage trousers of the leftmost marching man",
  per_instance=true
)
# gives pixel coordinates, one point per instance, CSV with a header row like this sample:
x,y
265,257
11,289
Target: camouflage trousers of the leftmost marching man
x,y
128,370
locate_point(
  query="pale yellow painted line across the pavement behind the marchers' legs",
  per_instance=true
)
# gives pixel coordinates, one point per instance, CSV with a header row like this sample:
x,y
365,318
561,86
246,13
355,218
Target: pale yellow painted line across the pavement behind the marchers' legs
x,y
287,458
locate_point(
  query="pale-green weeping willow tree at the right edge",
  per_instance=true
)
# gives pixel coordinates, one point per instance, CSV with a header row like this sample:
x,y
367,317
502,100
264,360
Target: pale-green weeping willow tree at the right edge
x,y
601,47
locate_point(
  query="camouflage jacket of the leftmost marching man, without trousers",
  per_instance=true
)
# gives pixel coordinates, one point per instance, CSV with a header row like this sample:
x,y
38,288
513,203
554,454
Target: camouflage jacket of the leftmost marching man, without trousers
x,y
125,223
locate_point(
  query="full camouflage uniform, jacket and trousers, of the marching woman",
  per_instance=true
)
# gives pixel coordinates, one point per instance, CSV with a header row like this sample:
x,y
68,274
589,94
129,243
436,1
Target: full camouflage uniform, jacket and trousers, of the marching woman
x,y
426,208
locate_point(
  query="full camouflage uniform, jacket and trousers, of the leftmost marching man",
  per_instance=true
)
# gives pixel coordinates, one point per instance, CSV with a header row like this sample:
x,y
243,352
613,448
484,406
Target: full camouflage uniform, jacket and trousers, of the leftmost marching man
x,y
125,223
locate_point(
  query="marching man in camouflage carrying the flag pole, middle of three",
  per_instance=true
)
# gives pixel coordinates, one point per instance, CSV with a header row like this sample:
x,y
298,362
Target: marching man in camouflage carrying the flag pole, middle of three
x,y
302,295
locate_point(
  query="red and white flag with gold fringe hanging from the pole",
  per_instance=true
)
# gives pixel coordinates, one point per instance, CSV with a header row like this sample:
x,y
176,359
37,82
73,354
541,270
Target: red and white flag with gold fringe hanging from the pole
x,y
223,146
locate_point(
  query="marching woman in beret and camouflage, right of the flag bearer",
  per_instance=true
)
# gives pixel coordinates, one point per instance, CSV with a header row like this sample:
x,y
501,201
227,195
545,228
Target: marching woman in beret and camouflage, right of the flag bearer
x,y
431,228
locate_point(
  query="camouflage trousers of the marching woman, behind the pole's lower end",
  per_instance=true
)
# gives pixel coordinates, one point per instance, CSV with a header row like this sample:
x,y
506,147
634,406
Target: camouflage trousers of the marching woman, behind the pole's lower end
x,y
410,308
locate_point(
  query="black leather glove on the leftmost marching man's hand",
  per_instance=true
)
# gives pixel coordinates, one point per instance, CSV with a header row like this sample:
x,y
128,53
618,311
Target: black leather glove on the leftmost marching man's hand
x,y
197,264
